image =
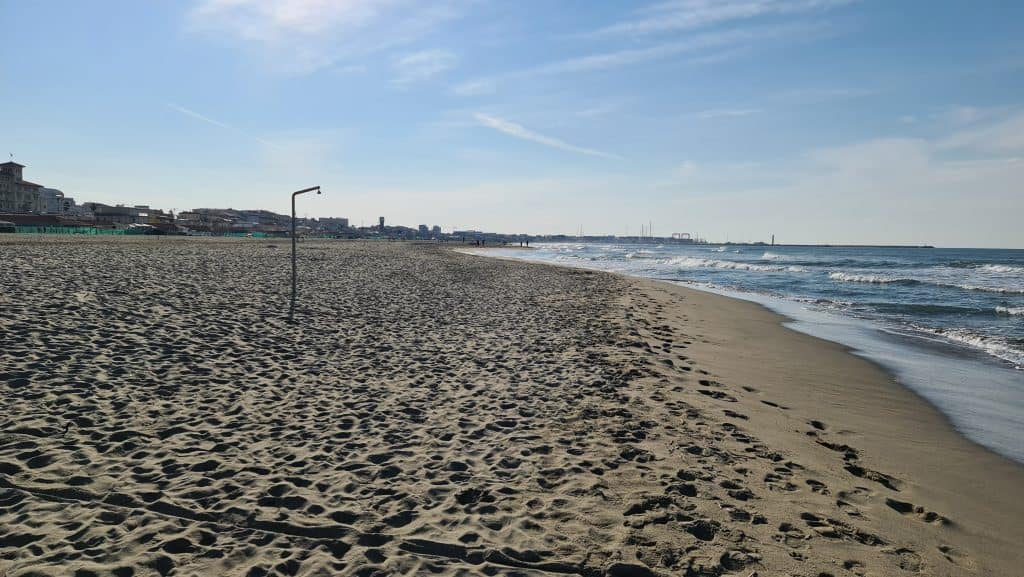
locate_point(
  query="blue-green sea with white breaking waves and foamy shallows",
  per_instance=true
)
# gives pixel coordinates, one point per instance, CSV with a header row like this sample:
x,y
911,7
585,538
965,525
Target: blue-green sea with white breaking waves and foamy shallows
x,y
948,323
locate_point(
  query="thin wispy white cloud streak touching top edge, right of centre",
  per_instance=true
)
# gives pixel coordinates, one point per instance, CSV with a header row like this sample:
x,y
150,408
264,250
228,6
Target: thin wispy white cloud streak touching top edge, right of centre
x,y
681,16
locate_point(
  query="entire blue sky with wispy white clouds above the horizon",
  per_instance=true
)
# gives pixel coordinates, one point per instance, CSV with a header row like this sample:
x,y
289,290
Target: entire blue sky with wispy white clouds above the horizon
x,y
815,120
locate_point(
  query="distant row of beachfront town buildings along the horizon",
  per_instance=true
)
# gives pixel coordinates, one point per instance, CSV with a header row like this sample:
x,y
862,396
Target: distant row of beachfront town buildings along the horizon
x,y
29,208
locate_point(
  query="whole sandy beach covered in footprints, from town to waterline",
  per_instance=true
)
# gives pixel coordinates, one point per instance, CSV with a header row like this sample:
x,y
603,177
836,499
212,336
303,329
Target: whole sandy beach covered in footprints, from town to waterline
x,y
438,414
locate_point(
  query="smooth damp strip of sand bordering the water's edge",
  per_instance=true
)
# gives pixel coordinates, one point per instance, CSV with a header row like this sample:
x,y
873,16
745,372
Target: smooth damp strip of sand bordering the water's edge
x,y
927,429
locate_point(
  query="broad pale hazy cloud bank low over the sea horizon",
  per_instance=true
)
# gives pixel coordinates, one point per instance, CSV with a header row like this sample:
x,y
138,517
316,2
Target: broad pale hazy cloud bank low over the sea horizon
x,y
898,190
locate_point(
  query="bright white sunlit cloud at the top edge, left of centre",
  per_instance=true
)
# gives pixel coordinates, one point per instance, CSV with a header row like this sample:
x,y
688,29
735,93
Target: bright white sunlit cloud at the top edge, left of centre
x,y
305,36
